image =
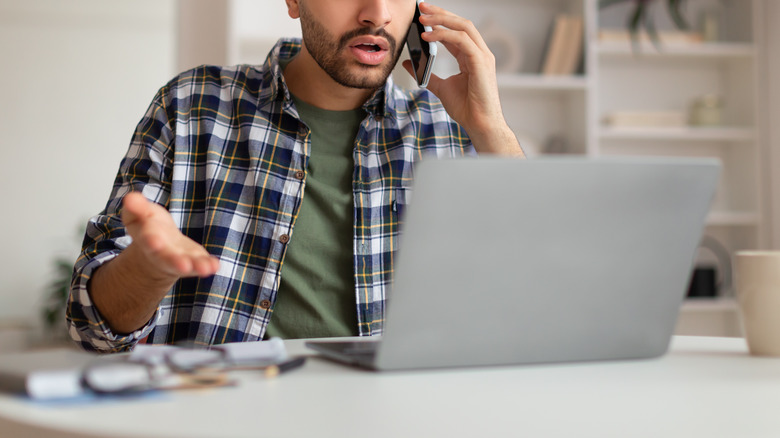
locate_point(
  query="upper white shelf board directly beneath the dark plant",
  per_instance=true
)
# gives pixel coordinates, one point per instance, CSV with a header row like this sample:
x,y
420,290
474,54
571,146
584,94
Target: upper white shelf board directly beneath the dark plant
x,y
703,50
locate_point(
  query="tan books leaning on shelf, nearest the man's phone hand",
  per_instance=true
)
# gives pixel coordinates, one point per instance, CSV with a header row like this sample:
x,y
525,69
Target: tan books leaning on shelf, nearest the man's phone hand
x,y
564,46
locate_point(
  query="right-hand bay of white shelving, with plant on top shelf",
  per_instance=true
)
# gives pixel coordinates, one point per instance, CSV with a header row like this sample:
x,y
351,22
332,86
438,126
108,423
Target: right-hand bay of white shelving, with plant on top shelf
x,y
669,79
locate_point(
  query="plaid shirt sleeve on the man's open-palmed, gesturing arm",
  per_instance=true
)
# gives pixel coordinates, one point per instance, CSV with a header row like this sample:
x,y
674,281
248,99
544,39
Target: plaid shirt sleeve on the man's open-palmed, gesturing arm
x,y
146,168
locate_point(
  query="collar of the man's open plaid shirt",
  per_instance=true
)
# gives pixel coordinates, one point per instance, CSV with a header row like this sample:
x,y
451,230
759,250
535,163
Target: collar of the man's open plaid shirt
x,y
274,88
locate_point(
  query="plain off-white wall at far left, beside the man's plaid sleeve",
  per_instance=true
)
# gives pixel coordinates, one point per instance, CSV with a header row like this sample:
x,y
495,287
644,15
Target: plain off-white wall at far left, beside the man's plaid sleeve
x,y
76,77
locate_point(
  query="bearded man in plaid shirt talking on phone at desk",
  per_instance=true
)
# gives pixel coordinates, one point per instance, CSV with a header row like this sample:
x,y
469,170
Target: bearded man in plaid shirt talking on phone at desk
x,y
266,201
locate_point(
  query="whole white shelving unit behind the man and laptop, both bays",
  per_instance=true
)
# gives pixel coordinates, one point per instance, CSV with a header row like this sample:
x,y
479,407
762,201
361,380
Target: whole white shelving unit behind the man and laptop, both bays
x,y
613,77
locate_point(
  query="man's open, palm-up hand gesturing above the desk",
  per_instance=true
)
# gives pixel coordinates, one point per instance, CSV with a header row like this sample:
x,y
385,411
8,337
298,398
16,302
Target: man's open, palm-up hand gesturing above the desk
x,y
169,253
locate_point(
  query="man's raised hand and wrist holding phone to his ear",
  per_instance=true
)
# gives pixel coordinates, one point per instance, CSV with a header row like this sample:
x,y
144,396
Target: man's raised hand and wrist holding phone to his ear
x,y
470,97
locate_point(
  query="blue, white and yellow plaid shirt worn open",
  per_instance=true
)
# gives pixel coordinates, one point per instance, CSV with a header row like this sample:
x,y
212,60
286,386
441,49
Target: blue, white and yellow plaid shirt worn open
x,y
223,149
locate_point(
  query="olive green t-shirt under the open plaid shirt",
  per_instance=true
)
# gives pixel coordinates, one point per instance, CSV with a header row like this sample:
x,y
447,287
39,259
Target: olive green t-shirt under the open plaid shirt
x,y
316,296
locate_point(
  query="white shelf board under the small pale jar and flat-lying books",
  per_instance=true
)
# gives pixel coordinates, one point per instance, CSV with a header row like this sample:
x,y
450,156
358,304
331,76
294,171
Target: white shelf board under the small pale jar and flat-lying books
x,y
686,133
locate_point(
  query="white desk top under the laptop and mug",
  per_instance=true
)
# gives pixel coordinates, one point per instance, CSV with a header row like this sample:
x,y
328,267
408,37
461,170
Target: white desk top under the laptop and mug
x,y
704,387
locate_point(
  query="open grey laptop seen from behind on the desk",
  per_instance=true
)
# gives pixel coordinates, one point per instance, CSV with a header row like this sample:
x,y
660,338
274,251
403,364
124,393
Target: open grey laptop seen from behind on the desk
x,y
504,261
